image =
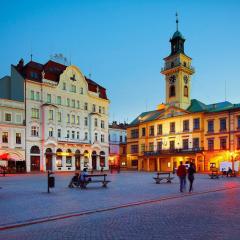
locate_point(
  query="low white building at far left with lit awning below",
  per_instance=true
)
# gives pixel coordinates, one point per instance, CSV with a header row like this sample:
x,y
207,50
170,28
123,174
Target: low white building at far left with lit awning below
x,y
12,135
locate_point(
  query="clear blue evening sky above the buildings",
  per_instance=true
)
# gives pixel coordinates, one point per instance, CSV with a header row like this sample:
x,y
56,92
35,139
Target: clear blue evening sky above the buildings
x,y
122,44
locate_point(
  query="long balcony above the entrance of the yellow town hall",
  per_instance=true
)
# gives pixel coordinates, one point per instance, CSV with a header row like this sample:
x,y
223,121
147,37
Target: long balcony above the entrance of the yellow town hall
x,y
173,151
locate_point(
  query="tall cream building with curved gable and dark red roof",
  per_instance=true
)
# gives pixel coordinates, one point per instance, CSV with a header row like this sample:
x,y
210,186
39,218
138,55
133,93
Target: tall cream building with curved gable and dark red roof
x,y
66,117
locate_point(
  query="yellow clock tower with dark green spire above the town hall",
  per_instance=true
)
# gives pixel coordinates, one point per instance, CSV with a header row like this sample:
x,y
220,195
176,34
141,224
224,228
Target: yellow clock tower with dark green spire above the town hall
x,y
178,71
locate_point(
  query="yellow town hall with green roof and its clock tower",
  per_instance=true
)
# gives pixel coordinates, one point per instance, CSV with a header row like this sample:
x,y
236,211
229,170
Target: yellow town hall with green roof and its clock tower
x,y
183,129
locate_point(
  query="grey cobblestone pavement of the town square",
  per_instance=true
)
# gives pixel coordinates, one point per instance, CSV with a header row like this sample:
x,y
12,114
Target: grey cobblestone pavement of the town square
x,y
213,215
